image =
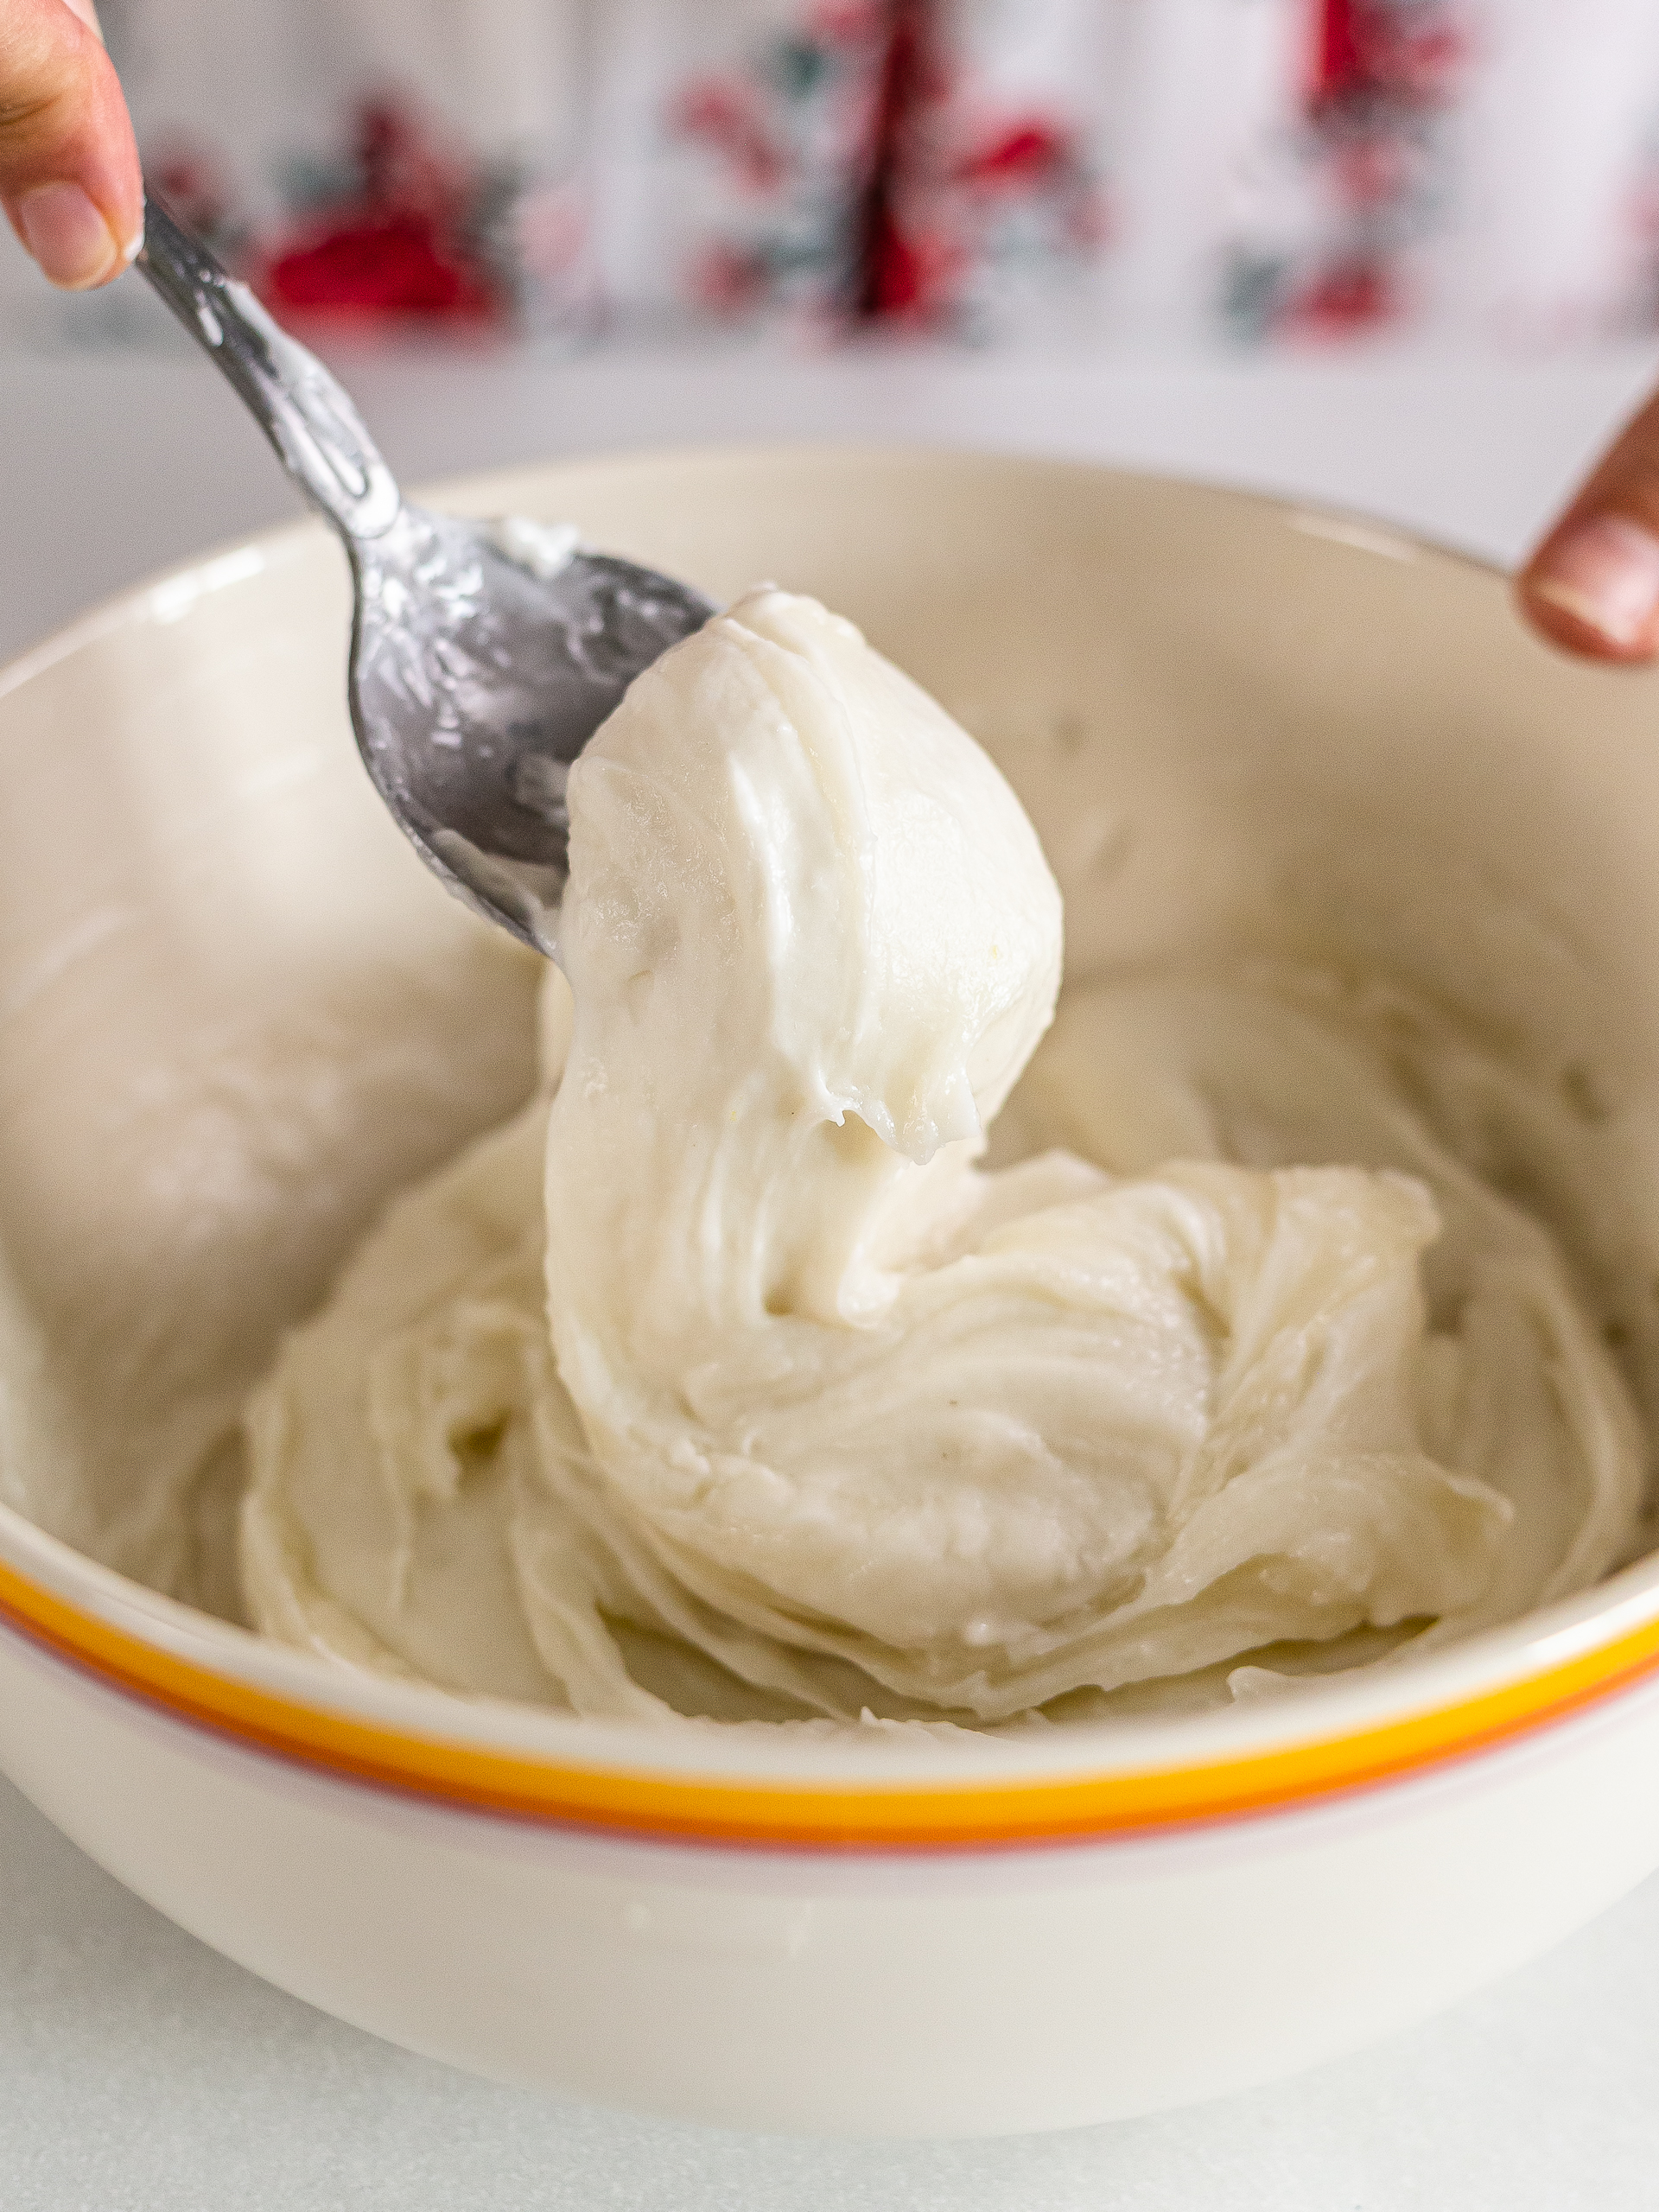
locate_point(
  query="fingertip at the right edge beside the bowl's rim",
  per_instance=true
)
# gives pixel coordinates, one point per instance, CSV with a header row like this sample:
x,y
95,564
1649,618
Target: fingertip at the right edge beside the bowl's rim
x,y
1594,583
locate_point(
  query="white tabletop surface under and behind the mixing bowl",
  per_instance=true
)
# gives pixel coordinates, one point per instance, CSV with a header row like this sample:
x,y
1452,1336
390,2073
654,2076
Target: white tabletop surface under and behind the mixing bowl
x,y
143,2074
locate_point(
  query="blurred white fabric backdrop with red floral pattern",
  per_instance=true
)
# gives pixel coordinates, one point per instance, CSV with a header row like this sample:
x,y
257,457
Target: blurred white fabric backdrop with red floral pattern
x,y
994,174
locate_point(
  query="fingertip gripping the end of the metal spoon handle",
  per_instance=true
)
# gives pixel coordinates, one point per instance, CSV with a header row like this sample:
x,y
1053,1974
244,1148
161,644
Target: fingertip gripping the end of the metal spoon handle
x,y
70,171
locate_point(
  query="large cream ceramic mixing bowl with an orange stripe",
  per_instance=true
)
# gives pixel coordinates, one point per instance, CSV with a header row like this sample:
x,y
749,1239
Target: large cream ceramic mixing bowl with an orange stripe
x,y
762,1932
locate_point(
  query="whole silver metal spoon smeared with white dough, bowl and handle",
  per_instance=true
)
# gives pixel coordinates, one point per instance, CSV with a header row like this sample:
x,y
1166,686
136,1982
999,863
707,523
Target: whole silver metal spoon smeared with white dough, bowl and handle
x,y
483,656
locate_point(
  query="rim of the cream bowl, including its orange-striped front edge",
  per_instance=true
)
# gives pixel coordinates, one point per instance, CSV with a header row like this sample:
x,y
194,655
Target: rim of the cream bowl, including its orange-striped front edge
x,y
811,1786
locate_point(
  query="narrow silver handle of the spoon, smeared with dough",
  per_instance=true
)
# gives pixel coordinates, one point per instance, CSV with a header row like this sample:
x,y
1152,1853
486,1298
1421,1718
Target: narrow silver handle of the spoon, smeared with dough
x,y
311,421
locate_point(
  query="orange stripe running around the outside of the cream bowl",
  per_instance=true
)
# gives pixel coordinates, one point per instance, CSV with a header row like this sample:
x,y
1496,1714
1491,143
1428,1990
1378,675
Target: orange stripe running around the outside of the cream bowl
x,y
826,1817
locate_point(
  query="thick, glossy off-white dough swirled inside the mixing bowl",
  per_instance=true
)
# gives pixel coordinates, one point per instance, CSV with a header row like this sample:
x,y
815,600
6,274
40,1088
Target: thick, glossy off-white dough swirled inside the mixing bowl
x,y
727,1381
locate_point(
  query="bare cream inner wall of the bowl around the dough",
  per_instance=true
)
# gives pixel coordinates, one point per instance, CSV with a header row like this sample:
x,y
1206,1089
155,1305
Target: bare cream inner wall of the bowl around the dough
x,y
236,1010
